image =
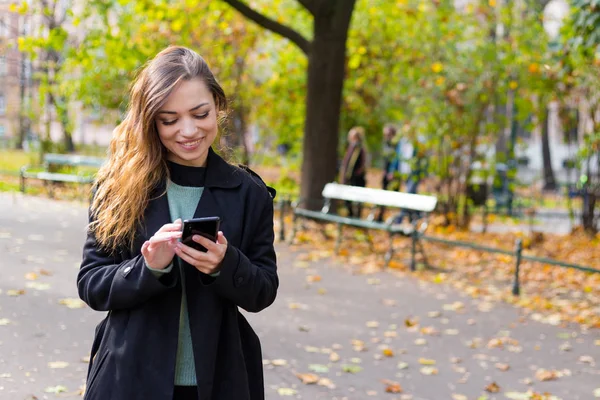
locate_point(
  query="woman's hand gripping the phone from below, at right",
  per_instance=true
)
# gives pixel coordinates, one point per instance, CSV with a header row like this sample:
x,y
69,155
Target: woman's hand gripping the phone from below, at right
x,y
207,262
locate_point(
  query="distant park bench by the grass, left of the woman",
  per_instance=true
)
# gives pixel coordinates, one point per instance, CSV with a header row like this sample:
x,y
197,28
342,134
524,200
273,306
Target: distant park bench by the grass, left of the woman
x,y
54,170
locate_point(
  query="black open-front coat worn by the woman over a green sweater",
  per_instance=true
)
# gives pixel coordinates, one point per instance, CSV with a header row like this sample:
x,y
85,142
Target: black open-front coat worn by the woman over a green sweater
x,y
134,350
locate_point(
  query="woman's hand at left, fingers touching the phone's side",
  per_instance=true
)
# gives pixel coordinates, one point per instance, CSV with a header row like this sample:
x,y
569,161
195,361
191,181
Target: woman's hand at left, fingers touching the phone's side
x,y
160,249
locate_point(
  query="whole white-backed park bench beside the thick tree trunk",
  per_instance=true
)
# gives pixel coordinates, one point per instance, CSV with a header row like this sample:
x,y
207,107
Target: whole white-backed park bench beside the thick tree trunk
x,y
416,206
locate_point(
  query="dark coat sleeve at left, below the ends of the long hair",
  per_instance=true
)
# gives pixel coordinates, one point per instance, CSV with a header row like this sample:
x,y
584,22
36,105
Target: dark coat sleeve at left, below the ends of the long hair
x,y
108,282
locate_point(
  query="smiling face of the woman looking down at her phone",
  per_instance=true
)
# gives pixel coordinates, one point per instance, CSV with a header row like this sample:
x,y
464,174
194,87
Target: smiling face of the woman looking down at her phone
x,y
187,123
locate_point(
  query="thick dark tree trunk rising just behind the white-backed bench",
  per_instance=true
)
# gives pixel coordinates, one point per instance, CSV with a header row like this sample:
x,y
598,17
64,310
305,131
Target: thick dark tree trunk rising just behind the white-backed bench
x,y
326,64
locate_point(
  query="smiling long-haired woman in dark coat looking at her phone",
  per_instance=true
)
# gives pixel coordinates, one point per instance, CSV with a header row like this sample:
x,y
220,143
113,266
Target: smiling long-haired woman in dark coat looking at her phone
x,y
173,329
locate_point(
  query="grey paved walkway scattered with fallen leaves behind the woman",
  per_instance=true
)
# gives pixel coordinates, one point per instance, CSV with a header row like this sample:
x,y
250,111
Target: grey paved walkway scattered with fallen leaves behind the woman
x,y
359,322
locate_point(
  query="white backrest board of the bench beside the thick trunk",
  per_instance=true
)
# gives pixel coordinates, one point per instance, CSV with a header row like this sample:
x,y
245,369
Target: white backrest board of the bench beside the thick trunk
x,y
380,197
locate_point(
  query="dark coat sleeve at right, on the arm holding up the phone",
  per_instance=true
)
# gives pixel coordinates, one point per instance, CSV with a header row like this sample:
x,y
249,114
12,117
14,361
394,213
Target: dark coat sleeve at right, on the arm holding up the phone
x,y
250,280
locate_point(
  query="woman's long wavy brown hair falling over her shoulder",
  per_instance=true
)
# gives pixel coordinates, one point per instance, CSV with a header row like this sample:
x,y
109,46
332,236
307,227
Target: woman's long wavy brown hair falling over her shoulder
x,y
136,163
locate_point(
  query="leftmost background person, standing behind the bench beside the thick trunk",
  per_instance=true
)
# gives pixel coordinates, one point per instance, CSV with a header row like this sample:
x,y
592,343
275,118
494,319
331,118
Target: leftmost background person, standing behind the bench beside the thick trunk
x,y
354,165
